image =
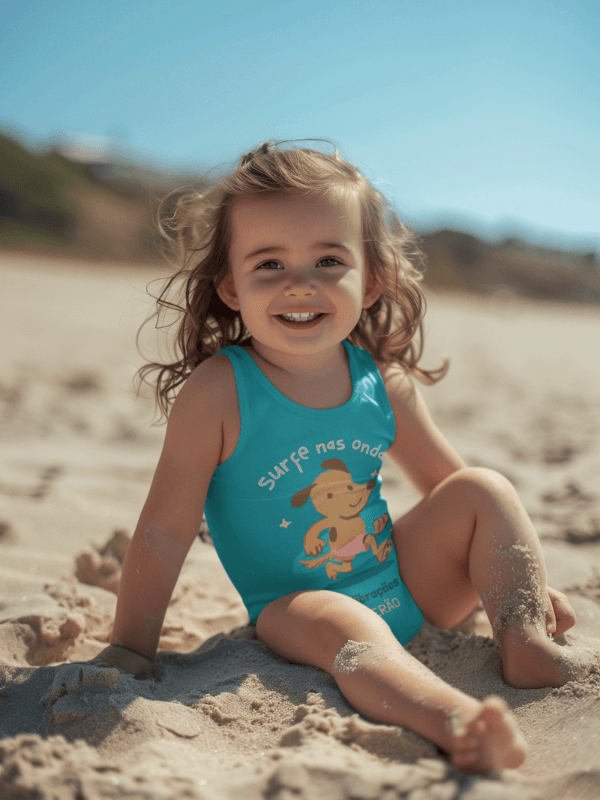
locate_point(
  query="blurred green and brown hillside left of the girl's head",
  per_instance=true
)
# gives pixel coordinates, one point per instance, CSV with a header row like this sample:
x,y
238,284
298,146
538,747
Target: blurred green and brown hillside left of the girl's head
x,y
93,207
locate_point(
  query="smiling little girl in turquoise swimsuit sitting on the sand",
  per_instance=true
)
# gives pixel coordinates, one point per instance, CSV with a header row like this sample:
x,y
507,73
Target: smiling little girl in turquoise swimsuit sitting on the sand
x,y
301,308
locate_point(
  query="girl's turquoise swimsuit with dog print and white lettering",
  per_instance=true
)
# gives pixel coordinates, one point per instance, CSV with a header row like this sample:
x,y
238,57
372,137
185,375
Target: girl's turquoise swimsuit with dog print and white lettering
x,y
297,506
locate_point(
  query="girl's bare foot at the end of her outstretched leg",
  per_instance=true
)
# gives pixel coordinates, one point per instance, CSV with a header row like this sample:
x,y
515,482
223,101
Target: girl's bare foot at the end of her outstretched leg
x,y
489,741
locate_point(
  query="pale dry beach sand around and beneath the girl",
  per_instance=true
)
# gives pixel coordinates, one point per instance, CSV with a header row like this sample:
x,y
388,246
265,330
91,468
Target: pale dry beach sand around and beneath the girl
x,y
223,717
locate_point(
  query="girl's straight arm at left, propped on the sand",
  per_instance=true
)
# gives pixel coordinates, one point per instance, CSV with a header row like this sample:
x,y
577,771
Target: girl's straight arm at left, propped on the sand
x,y
171,516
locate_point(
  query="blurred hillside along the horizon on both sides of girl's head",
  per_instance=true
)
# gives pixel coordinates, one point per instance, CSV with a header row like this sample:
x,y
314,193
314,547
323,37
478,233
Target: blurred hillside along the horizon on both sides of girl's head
x,y
65,203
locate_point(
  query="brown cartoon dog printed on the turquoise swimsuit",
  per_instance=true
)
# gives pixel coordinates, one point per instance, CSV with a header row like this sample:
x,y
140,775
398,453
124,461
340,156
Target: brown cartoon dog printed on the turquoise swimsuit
x,y
339,500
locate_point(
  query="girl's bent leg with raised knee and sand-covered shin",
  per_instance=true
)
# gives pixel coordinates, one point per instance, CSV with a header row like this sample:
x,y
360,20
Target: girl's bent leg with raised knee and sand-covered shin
x,y
471,538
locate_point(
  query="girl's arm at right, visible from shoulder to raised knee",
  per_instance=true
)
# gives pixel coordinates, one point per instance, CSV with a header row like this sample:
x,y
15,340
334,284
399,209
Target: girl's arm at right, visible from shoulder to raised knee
x,y
419,449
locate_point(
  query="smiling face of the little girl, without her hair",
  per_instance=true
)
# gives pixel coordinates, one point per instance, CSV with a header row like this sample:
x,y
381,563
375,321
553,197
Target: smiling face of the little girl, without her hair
x,y
297,272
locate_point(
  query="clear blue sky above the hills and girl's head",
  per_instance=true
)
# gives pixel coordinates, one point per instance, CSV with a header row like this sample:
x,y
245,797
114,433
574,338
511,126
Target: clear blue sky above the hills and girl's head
x,y
478,114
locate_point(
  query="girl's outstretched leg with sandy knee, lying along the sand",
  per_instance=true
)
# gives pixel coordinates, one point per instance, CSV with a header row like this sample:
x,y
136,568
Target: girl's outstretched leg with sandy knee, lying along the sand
x,y
385,683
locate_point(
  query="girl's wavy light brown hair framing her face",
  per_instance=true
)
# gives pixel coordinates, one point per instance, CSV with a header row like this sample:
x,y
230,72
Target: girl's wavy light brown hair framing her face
x,y
199,230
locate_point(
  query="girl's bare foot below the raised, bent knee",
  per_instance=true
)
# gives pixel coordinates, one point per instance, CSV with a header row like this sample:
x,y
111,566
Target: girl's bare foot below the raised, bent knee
x,y
530,660
